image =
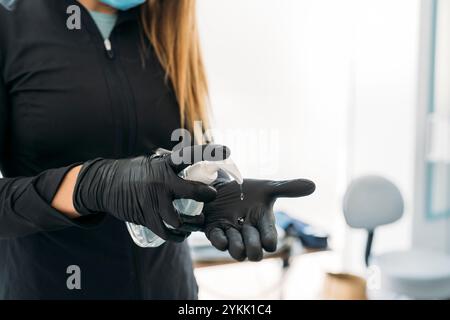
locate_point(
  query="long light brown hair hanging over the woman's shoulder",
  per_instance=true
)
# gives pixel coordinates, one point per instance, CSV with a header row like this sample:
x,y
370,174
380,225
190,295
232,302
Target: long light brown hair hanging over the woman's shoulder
x,y
171,27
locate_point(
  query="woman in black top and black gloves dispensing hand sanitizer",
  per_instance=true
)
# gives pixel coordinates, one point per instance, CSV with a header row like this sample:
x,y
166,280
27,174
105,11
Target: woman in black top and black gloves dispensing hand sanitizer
x,y
115,87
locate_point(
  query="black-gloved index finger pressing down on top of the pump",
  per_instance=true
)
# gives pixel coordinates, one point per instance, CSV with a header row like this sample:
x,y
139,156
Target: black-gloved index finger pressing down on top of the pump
x,y
181,159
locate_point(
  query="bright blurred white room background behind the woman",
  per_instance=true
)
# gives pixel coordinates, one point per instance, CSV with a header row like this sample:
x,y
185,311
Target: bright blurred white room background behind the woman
x,y
334,91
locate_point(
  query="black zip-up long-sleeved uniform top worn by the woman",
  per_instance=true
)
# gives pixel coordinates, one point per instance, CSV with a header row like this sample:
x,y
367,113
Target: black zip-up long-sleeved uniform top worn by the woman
x,y
63,100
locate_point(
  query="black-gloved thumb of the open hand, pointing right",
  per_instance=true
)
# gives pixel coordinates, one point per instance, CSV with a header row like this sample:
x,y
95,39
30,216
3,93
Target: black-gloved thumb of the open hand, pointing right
x,y
291,188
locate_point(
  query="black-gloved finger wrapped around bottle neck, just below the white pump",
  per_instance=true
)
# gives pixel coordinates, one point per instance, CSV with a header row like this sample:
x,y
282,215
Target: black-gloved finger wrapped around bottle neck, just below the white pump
x,y
184,189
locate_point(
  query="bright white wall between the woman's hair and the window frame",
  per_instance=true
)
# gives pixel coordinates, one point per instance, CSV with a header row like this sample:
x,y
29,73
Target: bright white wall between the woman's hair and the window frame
x,y
329,87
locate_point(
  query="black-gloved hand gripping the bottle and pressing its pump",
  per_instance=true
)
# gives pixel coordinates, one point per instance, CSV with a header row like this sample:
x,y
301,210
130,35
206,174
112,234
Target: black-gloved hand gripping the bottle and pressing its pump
x,y
141,190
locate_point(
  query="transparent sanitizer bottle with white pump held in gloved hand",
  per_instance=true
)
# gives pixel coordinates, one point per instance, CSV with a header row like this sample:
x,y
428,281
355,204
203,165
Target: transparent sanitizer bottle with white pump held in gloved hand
x,y
205,172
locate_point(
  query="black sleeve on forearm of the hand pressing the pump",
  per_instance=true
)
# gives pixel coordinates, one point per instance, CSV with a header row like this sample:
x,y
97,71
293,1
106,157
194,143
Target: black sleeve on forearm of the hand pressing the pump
x,y
25,202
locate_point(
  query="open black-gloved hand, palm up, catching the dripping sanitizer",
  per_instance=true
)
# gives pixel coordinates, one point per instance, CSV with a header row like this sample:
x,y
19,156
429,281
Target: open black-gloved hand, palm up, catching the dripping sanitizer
x,y
246,227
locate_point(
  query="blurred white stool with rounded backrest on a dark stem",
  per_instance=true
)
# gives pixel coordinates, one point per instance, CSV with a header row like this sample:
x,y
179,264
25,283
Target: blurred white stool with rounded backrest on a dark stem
x,y
373,201
